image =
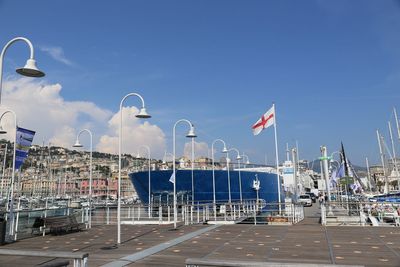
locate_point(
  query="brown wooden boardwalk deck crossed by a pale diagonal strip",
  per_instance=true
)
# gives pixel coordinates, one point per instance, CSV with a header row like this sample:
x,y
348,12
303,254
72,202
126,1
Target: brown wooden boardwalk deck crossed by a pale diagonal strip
x,y
307,242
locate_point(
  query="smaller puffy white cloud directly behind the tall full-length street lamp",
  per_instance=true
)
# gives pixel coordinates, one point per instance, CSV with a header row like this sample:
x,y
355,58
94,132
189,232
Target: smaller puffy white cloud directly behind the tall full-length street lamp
x,y
134,134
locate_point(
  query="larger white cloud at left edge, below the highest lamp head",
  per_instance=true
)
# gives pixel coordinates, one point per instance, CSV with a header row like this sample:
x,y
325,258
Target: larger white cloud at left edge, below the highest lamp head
x,y
40,107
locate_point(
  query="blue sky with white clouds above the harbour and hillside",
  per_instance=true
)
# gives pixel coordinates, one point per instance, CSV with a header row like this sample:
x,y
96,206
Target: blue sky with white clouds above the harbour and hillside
x,y
332,68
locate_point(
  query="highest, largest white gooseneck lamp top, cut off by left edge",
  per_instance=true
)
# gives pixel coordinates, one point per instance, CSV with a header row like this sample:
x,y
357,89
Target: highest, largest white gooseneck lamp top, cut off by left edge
x,y
29,69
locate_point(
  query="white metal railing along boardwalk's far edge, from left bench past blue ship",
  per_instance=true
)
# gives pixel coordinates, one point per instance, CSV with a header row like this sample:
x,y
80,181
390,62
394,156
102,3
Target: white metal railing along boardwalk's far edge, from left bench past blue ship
x,y
21,223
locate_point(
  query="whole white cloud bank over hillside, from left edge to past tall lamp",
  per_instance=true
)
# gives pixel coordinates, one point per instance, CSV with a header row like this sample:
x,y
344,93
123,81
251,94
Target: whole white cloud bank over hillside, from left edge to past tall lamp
x,y
41,108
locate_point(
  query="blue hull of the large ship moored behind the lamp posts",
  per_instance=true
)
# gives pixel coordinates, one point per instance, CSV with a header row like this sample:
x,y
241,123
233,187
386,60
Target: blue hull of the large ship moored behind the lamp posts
x,y
162,188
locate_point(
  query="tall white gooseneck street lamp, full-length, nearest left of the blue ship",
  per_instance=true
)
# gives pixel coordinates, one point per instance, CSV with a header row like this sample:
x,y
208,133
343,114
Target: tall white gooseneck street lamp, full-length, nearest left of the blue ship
x,y
141,115
